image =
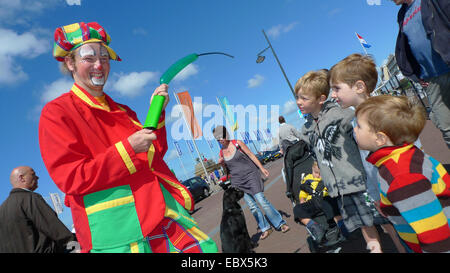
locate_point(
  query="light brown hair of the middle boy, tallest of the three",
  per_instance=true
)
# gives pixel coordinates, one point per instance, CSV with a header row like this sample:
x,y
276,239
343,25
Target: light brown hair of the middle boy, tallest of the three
x,y
353,68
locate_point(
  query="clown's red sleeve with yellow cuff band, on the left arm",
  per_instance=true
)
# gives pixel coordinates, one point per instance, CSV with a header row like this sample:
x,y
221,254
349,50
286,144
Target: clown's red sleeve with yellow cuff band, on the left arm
x,y
71,164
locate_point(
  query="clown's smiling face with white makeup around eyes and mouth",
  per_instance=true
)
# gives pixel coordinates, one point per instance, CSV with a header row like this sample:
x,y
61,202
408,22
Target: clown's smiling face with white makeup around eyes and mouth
x,y
92,67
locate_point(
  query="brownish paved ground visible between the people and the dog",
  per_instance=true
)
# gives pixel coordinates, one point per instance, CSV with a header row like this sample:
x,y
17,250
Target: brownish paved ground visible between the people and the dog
x,y
209,211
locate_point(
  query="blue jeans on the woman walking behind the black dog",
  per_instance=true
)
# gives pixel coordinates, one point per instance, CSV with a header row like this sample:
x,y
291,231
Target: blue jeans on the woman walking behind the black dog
x,y
271,213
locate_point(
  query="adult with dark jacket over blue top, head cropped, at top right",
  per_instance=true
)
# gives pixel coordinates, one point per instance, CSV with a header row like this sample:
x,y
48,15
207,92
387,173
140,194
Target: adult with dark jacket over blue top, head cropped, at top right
x,y
423,54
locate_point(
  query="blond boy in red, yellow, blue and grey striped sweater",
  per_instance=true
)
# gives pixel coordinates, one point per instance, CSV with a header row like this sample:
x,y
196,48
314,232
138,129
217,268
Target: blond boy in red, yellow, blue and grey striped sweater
x,y
414,187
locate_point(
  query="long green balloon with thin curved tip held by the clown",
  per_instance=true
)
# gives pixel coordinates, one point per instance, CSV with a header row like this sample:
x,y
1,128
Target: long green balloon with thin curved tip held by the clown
x,y
154,112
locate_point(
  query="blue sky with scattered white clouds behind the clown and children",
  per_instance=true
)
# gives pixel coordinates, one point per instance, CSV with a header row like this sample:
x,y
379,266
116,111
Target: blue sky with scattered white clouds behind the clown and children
x,y
150,35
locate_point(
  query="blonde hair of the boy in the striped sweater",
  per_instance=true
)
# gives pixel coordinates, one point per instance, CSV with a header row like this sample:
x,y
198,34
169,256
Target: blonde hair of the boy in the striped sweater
x,y
399,118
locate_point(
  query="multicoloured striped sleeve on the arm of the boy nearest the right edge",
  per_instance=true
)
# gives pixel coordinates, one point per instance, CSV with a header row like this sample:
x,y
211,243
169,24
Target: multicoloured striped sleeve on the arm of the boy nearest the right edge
x,y
413,197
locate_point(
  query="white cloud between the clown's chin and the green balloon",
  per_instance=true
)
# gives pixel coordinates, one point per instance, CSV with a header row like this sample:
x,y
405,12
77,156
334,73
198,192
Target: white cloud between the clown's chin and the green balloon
x,y
132,84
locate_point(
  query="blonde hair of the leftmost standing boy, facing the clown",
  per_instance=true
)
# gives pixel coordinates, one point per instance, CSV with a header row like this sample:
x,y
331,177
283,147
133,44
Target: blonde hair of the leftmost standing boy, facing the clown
x,y
315,83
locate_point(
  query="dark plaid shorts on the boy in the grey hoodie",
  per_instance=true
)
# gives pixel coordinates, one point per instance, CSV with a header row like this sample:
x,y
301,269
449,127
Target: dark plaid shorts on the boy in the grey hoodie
x,y
357,210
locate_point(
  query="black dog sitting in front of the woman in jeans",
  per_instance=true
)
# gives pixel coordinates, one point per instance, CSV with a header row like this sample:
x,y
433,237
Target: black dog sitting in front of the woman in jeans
x,y
233,230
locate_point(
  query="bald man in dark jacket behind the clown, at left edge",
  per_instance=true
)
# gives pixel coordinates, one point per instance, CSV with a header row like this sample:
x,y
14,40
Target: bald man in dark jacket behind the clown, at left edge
x,y
28,223
